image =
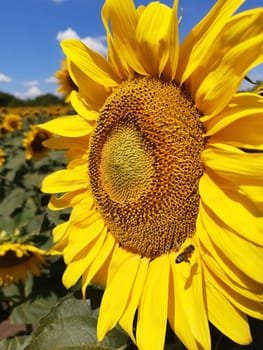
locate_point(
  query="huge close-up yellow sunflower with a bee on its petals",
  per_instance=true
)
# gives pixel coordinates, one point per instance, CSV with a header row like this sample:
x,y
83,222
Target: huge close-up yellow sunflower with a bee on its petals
x,y
165,174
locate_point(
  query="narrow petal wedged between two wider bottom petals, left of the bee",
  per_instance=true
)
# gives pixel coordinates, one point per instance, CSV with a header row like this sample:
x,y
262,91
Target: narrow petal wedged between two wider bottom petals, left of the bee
x,y
127,319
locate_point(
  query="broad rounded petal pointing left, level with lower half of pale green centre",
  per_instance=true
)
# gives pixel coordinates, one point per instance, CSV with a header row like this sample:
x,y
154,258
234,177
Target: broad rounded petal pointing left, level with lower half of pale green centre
x,y
66,180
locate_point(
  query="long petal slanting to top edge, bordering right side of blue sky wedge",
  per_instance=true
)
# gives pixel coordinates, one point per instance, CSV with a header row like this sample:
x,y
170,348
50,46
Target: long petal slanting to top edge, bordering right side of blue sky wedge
x,y
197,45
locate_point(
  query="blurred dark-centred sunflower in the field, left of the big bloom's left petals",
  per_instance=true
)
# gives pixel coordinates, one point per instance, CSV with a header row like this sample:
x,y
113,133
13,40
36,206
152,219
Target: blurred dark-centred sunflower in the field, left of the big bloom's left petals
x,y
33,143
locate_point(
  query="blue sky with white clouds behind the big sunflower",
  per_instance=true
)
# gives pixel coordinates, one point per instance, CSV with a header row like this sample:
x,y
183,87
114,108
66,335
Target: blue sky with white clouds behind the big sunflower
x,y
30,30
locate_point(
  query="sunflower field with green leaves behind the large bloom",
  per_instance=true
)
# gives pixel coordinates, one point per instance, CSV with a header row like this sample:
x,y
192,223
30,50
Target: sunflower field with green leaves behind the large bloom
x,y
36,311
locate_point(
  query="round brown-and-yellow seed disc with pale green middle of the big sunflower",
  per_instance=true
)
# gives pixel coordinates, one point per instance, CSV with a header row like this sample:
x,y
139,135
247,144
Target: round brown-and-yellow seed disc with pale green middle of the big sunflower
x,y
145,165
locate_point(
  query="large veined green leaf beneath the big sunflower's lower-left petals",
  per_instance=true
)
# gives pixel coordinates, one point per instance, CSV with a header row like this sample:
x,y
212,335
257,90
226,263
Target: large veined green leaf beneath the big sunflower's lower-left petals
x,y
72,323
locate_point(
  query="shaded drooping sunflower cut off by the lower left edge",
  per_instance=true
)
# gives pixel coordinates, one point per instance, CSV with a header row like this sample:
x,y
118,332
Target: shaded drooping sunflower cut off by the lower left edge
x,y
17,259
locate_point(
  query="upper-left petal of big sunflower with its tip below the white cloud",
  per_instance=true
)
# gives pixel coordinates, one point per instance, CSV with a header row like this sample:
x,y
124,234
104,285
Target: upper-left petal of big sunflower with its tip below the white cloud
x,y
90,62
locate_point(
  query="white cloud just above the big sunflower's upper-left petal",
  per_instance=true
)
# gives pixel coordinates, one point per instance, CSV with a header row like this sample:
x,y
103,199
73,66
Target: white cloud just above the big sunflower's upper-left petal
x,y
95,43
